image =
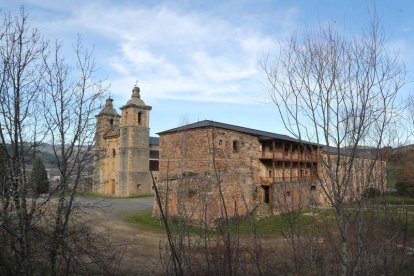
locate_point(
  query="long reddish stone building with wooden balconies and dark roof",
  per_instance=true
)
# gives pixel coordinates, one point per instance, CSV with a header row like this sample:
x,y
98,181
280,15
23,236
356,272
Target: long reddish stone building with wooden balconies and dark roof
x,y
209,170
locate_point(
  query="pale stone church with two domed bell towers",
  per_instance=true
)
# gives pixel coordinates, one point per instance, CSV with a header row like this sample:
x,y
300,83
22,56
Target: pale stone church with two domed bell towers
x,y
125,154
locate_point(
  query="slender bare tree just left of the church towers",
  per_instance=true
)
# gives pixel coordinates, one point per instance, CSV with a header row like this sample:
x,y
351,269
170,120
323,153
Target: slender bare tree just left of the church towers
x,y
72,95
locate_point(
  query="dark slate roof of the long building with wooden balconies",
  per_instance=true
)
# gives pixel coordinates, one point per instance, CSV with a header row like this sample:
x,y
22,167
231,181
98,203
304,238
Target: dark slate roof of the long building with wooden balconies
x,y
262,135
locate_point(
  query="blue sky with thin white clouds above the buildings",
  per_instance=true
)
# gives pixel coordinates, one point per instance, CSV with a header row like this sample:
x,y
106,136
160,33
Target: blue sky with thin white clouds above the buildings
x,y
201,60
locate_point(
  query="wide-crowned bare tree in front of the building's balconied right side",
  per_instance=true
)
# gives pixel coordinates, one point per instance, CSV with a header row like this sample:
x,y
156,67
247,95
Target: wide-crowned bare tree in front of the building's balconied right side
x,y
339,91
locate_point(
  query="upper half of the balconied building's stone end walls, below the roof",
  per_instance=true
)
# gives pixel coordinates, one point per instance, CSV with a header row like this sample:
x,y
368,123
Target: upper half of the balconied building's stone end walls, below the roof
x,y
207,149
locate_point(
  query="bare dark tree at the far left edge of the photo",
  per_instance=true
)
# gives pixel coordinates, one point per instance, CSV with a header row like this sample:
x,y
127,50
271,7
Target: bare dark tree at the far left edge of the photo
x,y
21,53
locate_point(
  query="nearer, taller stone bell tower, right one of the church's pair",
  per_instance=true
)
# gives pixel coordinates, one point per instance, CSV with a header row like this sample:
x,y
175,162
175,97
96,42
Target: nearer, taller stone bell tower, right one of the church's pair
x,y
134,174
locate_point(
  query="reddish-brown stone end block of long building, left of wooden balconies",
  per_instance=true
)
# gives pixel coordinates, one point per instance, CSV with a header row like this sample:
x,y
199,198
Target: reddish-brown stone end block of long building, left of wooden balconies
x,y
207,172
